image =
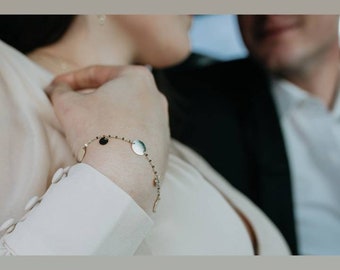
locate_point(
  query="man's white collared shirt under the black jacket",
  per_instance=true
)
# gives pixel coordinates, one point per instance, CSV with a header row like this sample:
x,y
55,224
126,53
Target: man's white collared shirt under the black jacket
x,y
312,139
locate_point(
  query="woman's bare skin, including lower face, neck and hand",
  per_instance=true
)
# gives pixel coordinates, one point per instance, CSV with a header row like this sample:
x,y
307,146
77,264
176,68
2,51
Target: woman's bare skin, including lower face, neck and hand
x,y
119,100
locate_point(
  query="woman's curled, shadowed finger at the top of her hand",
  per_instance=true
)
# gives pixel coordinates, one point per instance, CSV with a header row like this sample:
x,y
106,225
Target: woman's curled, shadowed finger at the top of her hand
x,y
90,77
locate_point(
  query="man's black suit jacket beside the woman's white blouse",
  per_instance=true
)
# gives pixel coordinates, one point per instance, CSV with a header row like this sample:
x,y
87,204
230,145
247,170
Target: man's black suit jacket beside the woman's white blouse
x,y
226,113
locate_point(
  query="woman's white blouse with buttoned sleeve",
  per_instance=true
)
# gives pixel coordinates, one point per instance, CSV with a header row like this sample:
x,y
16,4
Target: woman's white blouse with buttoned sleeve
x,y
85,213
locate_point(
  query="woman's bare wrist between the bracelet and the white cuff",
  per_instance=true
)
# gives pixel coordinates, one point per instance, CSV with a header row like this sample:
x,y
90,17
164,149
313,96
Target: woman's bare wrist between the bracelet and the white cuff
x,y
131,172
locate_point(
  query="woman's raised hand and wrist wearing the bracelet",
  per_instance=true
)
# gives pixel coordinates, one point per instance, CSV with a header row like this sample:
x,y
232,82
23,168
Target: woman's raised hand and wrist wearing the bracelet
x,y
121,101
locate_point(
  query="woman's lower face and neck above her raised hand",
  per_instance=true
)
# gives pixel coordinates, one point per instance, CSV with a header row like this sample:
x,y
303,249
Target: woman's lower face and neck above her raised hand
x,y
159,41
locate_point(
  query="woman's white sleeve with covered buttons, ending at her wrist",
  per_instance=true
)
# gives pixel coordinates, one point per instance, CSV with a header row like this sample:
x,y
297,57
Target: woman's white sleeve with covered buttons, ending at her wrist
x,y
85,213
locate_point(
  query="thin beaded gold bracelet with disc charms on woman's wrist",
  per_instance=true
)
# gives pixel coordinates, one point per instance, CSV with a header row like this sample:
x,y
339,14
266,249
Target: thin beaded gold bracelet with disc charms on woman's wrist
x,y
138,147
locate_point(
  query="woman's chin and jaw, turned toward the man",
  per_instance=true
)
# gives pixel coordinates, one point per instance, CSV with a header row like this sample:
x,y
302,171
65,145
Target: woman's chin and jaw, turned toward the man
x,y
162,40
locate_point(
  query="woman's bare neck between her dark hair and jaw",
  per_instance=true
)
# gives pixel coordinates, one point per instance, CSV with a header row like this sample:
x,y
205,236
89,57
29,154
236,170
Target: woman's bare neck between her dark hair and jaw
x,y
87,42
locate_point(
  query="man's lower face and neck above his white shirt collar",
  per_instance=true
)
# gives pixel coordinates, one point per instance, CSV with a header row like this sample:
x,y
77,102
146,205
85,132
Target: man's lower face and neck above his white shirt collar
x,y
303,49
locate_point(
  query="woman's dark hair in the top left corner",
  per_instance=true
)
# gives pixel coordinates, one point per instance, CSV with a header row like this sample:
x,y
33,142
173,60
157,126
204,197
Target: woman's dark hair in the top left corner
x,y
28,32
